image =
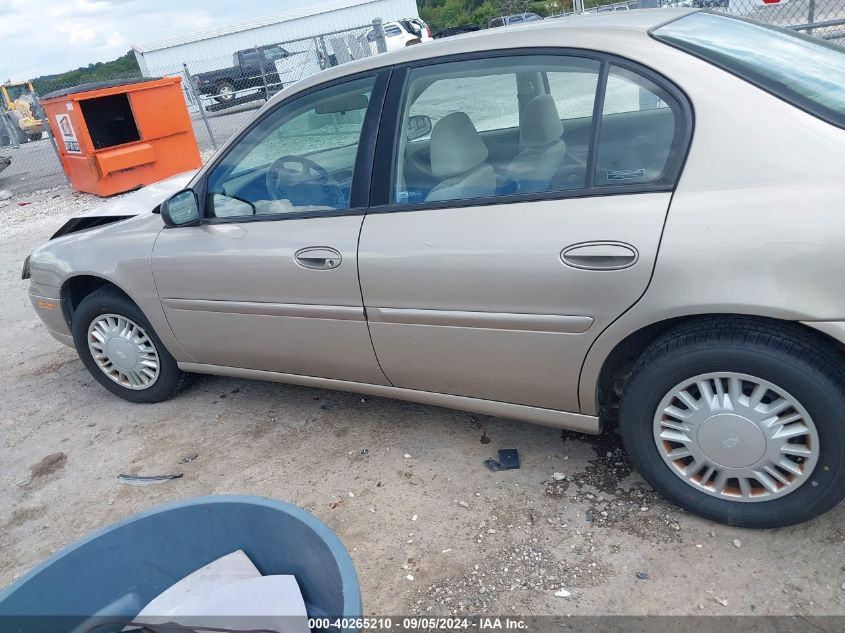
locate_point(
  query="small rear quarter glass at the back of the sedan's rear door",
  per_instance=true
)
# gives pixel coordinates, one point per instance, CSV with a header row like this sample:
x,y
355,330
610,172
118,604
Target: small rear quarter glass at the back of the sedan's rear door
x,y
638,128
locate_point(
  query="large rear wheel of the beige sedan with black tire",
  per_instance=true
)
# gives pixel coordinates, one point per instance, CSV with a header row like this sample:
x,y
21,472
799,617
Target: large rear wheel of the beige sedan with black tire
x,y
790,365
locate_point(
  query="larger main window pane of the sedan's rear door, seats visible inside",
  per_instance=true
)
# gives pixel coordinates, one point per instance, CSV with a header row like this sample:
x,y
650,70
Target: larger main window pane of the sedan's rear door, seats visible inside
x,y
500,126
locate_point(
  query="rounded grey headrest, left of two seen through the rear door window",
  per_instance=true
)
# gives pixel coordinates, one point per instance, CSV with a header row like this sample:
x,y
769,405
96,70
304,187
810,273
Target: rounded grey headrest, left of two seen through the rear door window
x,y
456,147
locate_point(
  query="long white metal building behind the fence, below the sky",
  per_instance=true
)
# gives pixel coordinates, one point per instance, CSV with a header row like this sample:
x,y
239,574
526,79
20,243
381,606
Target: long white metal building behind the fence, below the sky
x,y
213,48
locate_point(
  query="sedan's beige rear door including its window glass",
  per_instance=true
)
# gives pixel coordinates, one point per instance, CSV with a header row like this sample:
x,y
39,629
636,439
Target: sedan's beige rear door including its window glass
x,y
490,272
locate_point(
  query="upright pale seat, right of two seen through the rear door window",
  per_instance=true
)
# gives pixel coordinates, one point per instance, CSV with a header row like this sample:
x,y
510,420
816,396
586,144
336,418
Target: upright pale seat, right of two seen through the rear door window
x,y
540,132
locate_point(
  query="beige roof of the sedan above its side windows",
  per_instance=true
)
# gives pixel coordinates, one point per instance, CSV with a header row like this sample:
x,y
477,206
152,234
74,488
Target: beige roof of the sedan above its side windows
x,y
527,34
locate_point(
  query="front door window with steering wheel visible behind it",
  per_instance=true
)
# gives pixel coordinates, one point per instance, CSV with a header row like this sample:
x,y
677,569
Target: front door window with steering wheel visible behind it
x,y
300,158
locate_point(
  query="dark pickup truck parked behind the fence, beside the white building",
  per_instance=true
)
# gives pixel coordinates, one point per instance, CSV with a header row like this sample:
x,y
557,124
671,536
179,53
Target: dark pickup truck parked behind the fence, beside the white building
x,y
253,68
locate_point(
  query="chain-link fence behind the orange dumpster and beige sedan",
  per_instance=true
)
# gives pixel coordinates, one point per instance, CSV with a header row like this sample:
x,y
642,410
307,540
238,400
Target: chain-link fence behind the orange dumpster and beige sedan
x,y
222,91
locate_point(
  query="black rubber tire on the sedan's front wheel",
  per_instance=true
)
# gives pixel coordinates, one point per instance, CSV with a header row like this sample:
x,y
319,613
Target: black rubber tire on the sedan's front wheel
x,y
169,379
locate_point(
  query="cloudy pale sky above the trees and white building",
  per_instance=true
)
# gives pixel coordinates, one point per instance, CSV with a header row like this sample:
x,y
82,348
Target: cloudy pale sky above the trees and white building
x,y
40,37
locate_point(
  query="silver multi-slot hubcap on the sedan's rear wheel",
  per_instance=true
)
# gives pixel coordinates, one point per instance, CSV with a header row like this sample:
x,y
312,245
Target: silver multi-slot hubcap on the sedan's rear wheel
x,y
736,437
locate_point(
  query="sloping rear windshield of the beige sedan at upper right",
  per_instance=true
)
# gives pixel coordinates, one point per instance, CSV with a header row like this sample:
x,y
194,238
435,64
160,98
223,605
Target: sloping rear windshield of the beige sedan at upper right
x,y
807,72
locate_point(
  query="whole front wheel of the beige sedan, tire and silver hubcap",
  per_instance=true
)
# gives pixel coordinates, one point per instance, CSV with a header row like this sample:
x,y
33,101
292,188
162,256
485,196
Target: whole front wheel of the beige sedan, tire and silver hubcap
x,y
119,348
